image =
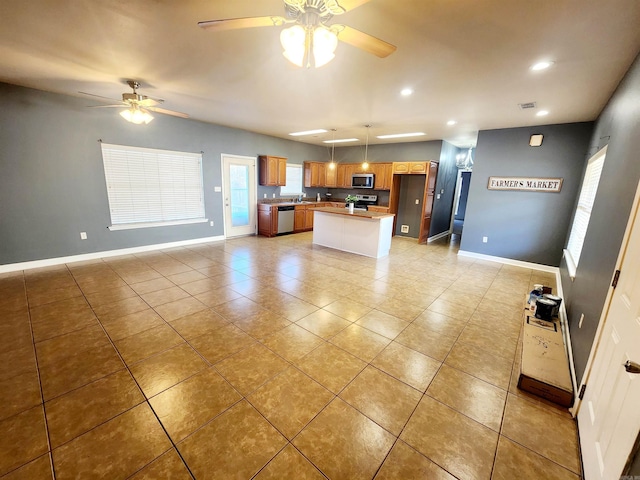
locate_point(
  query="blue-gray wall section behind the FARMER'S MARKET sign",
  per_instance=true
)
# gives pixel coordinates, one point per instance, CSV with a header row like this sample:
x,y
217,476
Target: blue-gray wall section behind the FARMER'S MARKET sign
x,y
526,226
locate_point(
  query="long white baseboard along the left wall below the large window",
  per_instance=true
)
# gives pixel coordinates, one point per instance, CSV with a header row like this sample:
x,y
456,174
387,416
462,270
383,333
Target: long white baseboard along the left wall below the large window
x,y
47,262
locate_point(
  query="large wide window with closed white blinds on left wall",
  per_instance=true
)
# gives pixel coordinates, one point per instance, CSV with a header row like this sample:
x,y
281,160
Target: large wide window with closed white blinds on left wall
x,y
148,187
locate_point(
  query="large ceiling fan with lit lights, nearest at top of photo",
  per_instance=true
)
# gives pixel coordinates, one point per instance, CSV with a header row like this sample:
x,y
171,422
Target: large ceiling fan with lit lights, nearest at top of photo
x,y
311,38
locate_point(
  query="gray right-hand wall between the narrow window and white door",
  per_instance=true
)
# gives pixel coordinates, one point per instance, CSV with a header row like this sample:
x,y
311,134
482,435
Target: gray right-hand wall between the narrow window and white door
x,y
618,127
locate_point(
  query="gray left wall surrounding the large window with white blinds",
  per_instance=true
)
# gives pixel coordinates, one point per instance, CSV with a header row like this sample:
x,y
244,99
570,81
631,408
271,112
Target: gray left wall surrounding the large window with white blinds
x,y
52,183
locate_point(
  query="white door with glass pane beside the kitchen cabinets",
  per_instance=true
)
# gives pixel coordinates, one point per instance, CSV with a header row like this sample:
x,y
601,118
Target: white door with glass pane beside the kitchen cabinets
x,y
240,193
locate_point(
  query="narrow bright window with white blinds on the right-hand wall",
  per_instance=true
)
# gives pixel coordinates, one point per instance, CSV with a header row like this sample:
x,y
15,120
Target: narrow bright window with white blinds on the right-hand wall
x,y
583,210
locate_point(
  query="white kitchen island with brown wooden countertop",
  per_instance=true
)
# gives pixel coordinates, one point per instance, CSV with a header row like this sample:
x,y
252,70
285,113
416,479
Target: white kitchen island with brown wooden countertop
x,y
362,232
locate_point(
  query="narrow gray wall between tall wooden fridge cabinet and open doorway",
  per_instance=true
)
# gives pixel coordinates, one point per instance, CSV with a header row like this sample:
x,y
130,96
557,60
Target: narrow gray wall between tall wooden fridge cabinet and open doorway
x,y
445,188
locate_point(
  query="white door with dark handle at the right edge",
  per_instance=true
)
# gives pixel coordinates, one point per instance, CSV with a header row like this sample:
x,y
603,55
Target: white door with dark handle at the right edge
x,y
609,416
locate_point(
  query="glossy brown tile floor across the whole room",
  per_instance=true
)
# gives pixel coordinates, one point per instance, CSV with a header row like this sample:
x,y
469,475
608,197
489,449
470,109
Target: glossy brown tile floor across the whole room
x,y
273,359
